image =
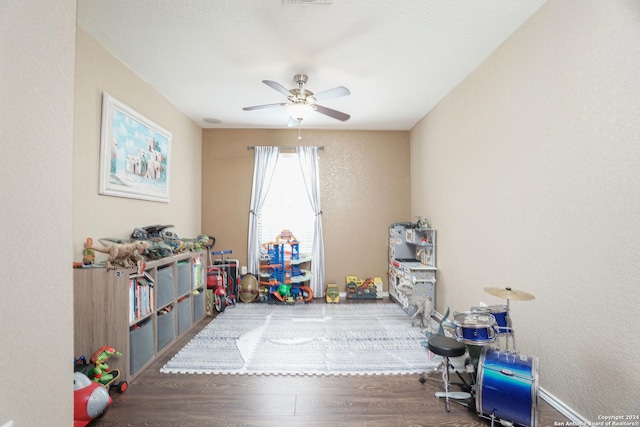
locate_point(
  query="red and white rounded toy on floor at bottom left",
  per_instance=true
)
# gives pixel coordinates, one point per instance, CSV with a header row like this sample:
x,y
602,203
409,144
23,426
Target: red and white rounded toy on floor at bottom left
x,y
90,400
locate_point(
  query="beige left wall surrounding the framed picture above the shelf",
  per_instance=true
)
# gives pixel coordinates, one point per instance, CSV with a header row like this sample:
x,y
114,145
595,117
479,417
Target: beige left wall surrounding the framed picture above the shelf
x,y
97,216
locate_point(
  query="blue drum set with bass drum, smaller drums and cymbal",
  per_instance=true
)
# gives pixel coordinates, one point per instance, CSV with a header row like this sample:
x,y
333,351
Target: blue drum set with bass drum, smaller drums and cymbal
x,y
506,382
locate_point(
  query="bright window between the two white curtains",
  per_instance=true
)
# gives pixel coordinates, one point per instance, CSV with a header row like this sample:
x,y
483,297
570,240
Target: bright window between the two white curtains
x,y
287,205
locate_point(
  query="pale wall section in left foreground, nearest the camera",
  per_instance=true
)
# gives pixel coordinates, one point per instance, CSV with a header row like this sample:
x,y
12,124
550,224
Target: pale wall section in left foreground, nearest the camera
x,y
37,46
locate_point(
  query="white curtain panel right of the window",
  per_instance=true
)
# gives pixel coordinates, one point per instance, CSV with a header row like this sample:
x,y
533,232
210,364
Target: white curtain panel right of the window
x,y
308,159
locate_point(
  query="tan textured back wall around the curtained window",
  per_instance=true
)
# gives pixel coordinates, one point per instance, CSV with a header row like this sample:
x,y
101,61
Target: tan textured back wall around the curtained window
x,y
364,188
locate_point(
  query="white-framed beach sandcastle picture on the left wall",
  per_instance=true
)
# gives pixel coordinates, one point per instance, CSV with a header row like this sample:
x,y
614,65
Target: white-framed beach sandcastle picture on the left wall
x,y
134,154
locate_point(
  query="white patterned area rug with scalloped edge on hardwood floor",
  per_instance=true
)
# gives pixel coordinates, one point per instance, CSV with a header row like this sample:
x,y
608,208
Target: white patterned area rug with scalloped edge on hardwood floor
x,y
306,339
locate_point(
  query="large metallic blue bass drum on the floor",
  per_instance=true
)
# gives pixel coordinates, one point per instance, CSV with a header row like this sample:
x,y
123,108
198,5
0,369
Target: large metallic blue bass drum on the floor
x,y
507,387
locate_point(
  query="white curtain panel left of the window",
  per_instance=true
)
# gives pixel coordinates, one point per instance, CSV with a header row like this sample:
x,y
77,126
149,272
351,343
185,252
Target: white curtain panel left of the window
x,y
264,165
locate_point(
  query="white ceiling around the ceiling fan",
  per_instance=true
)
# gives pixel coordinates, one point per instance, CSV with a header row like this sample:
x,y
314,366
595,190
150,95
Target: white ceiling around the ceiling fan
x,y
209,57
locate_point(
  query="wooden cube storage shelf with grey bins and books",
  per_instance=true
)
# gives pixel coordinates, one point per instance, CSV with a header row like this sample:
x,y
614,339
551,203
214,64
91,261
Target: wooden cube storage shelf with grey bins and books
x,y
138,315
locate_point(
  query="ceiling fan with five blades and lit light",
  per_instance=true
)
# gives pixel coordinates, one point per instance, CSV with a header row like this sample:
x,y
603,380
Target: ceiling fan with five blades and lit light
x,y
302,102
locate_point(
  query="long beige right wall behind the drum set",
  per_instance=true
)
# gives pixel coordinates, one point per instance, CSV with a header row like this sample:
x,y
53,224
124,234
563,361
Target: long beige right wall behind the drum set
x,y
530,172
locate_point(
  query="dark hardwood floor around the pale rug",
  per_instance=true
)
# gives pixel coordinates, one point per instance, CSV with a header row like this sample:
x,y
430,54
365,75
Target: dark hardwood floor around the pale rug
x,y
185,400
